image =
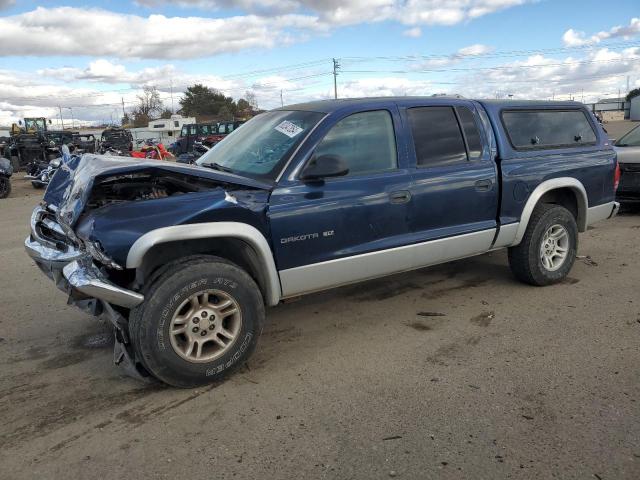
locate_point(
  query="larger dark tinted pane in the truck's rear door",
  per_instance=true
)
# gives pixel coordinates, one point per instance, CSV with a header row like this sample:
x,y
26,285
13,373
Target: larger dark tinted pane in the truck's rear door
x,y
436,136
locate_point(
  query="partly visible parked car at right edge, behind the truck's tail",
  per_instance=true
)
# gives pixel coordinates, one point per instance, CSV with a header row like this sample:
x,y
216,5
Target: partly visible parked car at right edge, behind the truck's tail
x,y
628,149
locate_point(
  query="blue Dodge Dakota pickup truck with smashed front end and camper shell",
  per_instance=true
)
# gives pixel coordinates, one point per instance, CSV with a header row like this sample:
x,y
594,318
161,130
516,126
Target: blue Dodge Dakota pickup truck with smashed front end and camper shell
x,y
184,259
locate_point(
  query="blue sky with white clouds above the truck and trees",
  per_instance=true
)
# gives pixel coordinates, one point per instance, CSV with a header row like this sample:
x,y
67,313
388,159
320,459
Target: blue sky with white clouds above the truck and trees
x,y
82,60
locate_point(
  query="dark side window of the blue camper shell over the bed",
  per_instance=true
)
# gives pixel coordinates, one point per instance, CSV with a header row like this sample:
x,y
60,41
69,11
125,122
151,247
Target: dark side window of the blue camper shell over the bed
x,y
548,128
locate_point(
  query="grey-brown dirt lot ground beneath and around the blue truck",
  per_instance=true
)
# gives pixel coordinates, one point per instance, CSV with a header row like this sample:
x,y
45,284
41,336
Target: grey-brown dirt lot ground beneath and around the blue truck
x,y
450,372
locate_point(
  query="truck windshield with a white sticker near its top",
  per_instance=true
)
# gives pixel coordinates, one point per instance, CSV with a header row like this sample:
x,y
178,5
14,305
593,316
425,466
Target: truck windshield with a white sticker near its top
x,y
260,147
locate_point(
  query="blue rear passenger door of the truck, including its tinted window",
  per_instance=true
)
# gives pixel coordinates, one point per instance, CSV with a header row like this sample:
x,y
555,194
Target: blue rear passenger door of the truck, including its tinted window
x,y
455,189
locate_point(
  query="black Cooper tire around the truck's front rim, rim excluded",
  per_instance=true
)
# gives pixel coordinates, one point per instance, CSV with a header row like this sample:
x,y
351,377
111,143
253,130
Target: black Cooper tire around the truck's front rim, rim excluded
x,y
149,323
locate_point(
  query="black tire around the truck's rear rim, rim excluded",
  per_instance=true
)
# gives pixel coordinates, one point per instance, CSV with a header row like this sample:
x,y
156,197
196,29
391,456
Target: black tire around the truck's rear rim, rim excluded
x,y
524,259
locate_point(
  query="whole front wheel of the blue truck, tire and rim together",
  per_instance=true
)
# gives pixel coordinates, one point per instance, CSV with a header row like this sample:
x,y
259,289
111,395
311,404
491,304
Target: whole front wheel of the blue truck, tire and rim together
x,y
200,320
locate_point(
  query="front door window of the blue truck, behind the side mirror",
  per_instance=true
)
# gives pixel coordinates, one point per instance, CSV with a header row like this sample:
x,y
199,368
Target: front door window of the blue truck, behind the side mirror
x,y
365,141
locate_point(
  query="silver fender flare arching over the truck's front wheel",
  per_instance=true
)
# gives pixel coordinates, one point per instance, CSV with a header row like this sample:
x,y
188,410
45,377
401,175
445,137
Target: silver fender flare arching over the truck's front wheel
x,y
241,231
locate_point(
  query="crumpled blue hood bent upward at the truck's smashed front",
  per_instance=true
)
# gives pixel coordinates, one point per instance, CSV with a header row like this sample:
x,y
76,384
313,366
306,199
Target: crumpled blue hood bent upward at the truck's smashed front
x,y
71,186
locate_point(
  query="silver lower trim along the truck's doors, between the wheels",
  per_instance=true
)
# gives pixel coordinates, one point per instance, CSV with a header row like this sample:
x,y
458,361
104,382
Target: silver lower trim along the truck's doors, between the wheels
x,y
342,271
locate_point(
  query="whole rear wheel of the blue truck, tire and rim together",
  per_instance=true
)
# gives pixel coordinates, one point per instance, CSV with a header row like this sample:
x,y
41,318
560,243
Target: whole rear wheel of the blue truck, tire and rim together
x,y
548,249
